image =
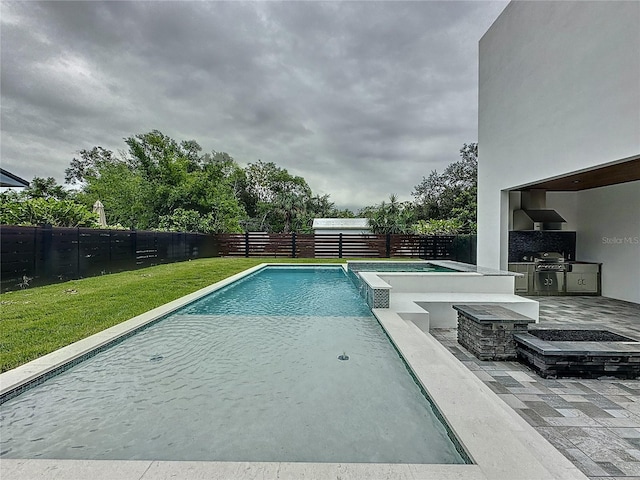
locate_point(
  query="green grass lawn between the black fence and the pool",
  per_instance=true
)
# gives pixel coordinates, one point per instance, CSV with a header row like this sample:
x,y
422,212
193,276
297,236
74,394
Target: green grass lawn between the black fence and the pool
x,y
40,320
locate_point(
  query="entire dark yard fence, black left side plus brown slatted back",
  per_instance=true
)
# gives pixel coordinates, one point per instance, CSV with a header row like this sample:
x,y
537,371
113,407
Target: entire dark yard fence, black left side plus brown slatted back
x,y
32,256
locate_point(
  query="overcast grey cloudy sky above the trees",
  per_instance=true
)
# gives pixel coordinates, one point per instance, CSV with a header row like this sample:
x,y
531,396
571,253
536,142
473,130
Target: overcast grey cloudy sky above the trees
x,y
362,99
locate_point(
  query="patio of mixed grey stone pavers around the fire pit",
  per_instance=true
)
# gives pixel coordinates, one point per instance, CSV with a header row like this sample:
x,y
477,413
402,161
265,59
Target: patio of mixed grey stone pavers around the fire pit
x,y
594,423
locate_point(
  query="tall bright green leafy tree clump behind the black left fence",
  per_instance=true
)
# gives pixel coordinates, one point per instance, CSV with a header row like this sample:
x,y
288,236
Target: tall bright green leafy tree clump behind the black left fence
x,y
157,180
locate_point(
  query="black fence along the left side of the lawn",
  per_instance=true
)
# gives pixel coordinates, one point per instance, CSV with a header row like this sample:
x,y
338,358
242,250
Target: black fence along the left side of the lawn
x,y
39,255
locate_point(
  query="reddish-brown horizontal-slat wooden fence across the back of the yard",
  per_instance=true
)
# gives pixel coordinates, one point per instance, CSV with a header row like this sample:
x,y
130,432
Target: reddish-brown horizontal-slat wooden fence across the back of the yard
x,y
461,248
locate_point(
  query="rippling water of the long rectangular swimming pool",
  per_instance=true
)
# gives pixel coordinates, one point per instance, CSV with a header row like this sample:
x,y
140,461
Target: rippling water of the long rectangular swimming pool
x,y
248,373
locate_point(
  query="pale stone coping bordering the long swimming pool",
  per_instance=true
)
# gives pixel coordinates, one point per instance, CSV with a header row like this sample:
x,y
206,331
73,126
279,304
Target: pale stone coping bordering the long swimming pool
x,y
502,445
